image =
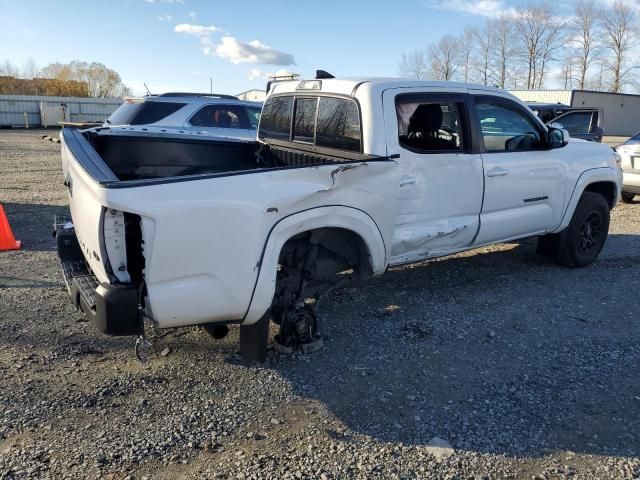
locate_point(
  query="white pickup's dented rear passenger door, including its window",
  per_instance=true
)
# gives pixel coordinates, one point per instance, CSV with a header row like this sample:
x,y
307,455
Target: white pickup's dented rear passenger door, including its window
x,y
440,173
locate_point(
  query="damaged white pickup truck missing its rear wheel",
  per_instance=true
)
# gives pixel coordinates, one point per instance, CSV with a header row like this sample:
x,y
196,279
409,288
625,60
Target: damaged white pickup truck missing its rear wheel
x,y
347,177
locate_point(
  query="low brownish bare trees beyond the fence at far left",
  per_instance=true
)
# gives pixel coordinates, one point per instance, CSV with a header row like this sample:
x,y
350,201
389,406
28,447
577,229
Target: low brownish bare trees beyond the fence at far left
x,y
97,79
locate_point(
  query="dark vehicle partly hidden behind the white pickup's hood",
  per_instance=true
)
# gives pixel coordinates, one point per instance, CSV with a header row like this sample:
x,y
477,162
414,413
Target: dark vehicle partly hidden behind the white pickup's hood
x,y
584,123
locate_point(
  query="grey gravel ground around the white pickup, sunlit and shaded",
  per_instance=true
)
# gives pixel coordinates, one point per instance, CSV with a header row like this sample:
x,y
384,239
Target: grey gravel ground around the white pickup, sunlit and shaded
x,y
519,369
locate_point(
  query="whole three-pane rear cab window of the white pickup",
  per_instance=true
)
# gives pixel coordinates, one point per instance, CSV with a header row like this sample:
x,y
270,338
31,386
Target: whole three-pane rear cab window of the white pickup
x,y
322,121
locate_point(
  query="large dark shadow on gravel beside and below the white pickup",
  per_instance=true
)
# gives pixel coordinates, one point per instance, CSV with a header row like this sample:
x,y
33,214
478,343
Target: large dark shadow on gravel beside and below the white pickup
x,y
495,351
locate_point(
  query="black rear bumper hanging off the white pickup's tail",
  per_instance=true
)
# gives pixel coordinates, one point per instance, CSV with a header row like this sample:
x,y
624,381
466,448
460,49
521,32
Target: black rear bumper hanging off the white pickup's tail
x,y
113,309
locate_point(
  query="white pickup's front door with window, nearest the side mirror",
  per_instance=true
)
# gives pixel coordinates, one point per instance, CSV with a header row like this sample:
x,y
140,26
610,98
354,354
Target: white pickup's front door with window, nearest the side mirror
x,y
524,180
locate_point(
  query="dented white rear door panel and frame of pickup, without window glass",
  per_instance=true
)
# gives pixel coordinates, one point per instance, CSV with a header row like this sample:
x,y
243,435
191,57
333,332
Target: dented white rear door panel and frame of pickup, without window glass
x,y
440,194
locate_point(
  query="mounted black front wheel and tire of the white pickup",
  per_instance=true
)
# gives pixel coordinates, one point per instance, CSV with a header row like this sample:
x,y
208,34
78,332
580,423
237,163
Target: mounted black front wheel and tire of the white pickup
x,y
581,242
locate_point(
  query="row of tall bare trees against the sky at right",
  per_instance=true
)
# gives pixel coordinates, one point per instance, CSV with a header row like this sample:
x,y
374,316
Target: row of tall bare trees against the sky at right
x,y
590,49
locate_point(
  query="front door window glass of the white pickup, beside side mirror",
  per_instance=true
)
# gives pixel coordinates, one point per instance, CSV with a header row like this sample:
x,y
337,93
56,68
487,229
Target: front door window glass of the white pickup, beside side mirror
x,y
507,128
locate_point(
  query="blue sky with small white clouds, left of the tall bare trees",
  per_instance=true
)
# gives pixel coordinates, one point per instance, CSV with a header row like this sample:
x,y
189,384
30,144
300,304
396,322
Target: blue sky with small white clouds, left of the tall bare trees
x,y
180,44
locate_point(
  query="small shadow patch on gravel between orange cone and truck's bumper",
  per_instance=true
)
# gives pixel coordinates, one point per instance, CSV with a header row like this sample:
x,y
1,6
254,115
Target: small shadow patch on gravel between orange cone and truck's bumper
x,y
32,223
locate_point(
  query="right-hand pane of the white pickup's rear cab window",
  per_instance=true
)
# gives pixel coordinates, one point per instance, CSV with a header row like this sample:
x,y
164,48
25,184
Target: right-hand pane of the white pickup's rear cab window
x,y
338,124
